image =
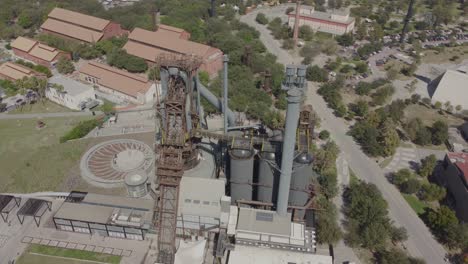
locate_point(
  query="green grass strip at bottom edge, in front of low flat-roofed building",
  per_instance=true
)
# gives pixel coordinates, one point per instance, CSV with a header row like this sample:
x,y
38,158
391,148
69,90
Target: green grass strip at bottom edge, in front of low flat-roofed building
x,y
61,255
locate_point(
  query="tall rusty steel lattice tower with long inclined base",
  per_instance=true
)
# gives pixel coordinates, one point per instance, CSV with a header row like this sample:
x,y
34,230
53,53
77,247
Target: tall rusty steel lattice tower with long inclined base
x,y
177,149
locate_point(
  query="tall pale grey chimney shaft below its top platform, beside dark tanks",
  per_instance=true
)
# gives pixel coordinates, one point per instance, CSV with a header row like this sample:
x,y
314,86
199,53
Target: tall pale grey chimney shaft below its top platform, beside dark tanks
x,y
292,119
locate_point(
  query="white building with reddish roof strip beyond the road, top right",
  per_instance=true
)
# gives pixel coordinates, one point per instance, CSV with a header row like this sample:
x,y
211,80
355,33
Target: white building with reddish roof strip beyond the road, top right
x,y
336,22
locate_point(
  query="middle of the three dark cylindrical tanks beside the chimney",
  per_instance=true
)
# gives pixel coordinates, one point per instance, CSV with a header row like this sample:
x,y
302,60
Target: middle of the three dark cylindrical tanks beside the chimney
x,y
268,178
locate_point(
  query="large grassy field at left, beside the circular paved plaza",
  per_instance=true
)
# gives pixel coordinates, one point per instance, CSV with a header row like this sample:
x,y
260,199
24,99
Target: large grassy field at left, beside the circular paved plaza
x,y
32,159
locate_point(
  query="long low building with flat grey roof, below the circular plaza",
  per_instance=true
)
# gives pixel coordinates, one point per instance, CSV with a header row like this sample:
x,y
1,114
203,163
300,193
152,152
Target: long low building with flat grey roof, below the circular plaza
x,y
105,215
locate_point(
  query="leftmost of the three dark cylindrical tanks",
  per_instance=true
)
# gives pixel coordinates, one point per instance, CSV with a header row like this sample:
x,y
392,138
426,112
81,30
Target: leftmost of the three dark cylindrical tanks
x,y
241,174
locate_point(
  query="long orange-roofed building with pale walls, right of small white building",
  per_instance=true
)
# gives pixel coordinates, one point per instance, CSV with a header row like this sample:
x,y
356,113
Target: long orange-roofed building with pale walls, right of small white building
x,y
126,86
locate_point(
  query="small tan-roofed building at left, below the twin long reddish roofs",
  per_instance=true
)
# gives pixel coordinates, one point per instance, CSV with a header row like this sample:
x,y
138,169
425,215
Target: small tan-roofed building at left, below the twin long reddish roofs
x,y
36,52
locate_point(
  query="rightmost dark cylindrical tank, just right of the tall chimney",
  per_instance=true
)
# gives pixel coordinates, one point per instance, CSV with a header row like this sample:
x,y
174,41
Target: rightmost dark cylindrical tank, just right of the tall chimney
x,y
300,180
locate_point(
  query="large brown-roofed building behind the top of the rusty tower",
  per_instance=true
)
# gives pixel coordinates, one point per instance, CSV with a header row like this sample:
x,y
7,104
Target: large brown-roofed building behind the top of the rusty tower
x,y
149,45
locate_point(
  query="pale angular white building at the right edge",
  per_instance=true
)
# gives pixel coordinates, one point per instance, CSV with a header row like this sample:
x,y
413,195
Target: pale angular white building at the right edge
x,y
452,86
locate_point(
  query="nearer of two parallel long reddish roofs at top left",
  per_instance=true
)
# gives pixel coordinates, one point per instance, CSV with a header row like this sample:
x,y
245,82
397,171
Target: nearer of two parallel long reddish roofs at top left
x,y
72,31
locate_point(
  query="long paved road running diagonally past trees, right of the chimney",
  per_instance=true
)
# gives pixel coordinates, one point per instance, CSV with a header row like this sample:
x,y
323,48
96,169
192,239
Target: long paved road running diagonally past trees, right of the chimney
x,y
421,242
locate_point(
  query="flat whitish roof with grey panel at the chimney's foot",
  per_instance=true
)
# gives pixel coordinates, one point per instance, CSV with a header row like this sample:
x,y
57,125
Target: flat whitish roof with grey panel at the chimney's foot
x,y
263,221
